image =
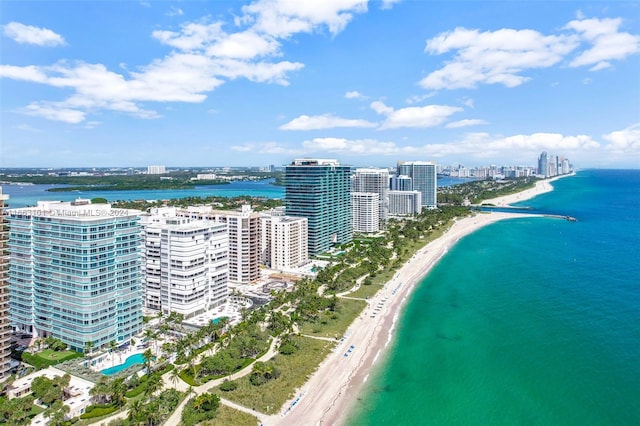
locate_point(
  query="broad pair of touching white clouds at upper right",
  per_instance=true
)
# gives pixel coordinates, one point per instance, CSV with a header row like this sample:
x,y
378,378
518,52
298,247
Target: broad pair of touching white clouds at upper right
x,y
504,56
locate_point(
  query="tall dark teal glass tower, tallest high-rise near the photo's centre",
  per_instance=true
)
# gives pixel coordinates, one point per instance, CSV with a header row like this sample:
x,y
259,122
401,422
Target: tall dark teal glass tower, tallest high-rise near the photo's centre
x,y
319,190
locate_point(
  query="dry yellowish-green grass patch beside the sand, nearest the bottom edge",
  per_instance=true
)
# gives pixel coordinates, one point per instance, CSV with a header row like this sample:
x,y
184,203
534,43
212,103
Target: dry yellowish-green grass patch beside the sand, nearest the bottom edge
x,y
295,371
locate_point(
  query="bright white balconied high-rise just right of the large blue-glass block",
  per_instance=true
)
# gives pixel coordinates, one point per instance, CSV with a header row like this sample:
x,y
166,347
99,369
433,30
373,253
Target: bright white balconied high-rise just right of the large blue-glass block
x,y
185,263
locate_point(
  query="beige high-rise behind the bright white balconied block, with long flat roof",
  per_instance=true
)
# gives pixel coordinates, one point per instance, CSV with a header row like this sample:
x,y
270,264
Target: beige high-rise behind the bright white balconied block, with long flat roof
x,y
244,239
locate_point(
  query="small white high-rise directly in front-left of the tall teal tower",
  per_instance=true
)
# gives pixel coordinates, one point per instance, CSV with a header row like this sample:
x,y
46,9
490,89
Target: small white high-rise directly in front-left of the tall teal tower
x,y
284,241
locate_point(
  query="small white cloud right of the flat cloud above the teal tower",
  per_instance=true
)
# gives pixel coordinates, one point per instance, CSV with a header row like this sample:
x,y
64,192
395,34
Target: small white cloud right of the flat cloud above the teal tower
x,y
426,116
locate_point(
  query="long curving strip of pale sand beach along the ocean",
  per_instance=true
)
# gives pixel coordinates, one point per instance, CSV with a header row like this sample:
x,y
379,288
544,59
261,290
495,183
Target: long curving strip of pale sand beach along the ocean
x,y
330,394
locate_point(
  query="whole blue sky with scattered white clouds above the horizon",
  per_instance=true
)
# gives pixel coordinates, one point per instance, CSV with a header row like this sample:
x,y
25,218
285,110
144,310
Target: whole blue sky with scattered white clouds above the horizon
x,y
230,83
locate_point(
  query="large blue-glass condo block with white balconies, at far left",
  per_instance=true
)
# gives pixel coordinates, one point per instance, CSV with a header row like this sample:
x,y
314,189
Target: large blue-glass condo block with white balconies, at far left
x,y
75,272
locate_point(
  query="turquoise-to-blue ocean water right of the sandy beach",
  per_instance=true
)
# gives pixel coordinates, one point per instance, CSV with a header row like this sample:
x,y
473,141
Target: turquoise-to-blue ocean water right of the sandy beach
x,y
532,321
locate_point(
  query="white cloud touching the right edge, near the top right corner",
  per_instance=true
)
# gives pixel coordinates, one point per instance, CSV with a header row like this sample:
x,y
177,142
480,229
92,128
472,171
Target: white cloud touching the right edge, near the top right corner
x,y
608,43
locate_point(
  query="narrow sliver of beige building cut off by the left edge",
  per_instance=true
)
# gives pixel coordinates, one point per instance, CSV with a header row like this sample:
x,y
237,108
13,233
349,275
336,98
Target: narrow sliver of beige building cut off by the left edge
x,y
5,326
